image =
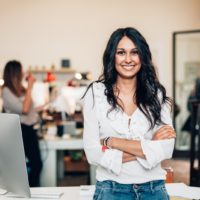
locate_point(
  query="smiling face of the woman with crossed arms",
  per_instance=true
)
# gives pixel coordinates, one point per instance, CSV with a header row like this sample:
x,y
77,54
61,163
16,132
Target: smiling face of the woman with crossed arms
x,y
127,60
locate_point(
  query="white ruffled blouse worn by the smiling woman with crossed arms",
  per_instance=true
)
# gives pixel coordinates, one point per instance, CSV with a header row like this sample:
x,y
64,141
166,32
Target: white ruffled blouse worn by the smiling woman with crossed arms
x,y
97,125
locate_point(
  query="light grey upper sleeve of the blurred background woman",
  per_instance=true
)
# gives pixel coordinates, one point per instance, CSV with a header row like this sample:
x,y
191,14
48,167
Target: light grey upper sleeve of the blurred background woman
x,y
11,103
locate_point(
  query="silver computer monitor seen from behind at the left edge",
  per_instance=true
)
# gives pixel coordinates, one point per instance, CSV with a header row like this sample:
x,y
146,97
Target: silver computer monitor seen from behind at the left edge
x,y
13,172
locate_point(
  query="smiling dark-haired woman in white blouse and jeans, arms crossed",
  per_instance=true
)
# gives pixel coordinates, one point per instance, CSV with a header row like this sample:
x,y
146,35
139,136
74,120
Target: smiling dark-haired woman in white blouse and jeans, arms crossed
x,y
127,124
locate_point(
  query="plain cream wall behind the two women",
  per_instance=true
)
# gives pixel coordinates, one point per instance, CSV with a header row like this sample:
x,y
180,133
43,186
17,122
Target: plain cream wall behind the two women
x,y
42,32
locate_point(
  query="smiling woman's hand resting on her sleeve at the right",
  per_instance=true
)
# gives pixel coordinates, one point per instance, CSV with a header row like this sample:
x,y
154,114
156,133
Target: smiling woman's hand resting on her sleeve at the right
x,y
165,132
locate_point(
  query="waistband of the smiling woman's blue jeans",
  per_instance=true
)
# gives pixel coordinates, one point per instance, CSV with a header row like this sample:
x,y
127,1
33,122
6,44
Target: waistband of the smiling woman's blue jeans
x,y
115,185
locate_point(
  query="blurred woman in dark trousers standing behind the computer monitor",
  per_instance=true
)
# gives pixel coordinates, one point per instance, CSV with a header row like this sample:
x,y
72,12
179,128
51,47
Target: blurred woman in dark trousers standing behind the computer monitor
x,y
17,99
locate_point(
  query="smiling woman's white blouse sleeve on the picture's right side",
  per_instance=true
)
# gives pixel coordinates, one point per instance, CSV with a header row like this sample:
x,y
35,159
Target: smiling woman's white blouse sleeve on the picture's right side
x,y
156,151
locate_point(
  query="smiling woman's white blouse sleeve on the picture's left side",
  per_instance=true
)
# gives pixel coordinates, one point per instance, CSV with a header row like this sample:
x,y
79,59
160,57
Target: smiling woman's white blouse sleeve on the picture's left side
x,y
111,159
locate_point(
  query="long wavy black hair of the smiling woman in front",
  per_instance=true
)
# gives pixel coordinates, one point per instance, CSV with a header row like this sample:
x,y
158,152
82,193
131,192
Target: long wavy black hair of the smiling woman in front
x,y
150,94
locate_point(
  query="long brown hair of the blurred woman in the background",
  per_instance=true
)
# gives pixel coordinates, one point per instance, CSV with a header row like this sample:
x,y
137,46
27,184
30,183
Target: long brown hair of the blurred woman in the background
x,y
12,76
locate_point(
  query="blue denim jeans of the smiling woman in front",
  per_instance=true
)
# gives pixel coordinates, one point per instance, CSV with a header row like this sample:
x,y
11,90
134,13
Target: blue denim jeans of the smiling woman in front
x,y
111,190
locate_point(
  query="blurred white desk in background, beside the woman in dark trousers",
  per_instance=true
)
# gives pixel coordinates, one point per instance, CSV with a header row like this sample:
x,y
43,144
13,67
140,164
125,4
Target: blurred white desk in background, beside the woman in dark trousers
x,y
52,156
